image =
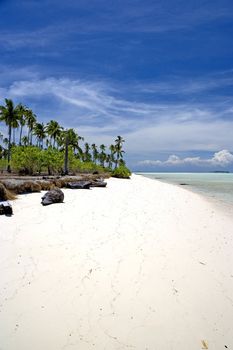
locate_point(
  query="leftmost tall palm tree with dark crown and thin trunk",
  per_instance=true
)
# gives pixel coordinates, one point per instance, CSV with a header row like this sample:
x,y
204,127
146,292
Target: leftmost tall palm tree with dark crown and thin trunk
x,y
9,115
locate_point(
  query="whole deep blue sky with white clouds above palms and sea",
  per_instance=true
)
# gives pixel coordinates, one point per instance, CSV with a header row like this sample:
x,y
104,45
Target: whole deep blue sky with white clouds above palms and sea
x,y
159,73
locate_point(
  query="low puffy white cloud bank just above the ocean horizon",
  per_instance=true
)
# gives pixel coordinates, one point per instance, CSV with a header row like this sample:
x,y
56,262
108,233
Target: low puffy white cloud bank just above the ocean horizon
x,y
221,158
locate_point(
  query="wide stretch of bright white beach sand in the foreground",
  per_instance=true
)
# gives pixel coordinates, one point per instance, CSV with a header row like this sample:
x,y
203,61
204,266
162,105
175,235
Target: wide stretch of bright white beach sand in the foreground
x,y
138,265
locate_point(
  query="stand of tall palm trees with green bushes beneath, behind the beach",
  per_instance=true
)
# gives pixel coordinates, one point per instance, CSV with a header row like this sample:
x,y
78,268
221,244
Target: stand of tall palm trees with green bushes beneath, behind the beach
x,y
32,147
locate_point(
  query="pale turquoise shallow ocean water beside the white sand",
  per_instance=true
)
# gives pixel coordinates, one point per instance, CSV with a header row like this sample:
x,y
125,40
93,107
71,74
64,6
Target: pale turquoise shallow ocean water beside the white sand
x,y
218,186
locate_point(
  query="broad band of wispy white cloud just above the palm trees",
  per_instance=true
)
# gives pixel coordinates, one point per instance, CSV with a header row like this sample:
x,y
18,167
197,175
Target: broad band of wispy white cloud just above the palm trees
x,y
100,111
